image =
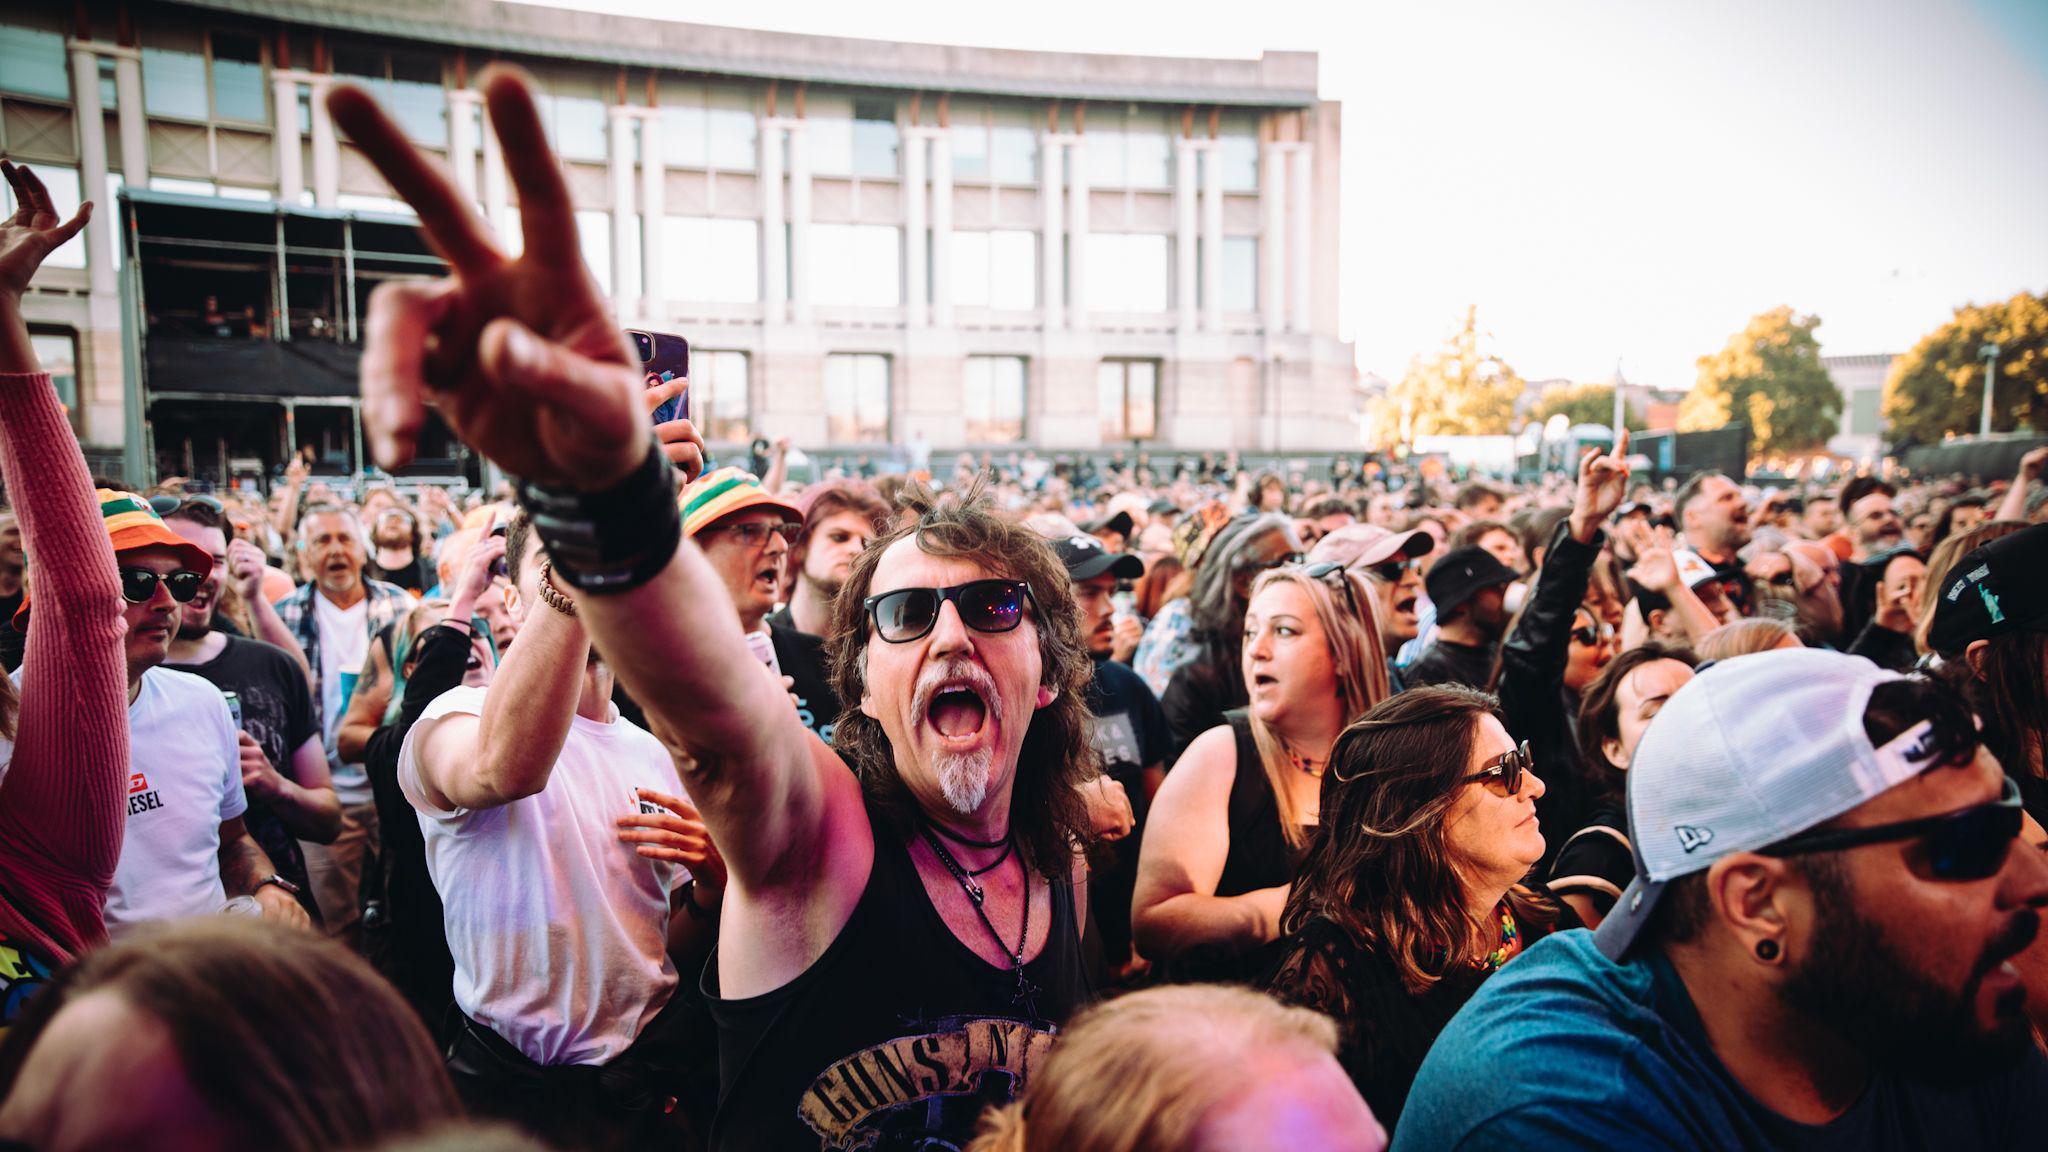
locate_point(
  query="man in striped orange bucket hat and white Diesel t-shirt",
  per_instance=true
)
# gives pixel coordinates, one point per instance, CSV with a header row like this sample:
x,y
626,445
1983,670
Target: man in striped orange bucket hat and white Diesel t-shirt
x,y
185,850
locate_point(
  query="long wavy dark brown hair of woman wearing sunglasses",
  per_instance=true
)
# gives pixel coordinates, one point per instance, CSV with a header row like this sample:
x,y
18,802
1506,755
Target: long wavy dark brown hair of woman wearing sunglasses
x,y
1381,866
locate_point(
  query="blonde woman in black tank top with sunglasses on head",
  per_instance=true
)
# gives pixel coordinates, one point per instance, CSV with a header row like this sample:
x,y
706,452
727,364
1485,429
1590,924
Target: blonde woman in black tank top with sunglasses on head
x,y
1230,823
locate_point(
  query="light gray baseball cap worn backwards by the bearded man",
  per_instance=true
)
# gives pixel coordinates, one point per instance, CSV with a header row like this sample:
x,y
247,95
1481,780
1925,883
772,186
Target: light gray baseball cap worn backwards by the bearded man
x,y
1750,753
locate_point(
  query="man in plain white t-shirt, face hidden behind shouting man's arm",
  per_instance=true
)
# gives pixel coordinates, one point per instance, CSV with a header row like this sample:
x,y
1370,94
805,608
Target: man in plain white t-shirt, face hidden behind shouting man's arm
x,y
564,852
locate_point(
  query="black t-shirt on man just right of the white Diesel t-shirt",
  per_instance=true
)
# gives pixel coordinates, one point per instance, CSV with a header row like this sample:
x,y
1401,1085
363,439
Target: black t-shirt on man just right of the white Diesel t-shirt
x,y
278,712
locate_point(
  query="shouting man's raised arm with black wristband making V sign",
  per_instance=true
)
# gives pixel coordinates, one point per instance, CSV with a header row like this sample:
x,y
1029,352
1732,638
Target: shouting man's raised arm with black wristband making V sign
x,y
531,370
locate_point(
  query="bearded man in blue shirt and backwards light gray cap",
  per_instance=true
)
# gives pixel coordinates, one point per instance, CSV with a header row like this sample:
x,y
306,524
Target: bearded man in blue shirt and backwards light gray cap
x,y
1816,952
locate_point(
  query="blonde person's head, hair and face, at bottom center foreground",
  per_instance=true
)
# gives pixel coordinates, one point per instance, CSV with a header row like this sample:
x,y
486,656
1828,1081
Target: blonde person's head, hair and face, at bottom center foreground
x,y
1191,1069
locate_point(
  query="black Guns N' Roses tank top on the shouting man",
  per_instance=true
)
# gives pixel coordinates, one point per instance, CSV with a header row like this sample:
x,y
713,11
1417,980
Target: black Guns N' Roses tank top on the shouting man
x,y
898,1038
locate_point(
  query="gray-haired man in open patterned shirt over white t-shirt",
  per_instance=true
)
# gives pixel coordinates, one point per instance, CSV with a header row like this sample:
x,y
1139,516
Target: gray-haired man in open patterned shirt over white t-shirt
x,y
335,616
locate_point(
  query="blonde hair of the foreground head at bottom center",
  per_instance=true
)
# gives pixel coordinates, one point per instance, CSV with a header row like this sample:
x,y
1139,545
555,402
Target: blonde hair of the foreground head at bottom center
x,y
1142,1073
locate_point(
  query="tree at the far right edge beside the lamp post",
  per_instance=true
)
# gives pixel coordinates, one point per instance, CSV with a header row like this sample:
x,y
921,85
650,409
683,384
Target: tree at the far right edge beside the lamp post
x,y
1938,386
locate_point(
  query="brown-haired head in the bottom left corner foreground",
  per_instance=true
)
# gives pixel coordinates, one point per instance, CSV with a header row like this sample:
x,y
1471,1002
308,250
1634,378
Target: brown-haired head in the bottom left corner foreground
x,y
220,1034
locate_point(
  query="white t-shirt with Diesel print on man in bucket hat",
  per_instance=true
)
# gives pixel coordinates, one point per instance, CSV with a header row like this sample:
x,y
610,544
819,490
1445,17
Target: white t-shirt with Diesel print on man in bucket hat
x,y
185,780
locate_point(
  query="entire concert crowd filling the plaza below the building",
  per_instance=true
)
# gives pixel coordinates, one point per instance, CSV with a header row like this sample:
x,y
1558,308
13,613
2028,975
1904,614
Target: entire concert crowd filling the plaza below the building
x,y
681,807
